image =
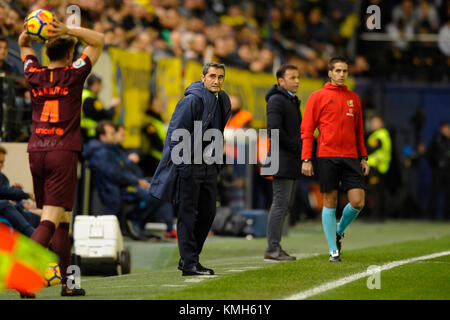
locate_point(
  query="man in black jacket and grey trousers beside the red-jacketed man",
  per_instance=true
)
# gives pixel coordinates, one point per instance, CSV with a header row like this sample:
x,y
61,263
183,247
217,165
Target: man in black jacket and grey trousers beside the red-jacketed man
x,y
283,114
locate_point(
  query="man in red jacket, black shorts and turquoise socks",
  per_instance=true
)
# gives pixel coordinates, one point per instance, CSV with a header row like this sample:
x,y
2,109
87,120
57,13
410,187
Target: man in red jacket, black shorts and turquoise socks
x,y
342,156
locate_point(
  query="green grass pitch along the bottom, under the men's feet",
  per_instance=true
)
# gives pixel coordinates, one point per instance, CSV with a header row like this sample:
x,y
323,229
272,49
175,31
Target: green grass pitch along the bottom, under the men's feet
x,y
242,274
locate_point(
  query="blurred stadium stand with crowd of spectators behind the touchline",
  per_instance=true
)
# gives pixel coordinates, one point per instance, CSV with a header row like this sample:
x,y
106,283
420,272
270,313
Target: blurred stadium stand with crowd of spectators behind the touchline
x,y
398,69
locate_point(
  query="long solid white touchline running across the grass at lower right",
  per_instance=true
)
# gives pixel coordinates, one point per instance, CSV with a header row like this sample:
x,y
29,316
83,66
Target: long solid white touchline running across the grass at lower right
x,y
340,282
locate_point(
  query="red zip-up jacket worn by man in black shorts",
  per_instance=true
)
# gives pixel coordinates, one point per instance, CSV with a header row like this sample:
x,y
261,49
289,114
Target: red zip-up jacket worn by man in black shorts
x,y
336,112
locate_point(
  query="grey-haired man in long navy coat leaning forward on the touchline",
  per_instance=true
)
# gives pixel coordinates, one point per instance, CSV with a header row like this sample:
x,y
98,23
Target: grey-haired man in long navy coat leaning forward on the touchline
x,y
193,186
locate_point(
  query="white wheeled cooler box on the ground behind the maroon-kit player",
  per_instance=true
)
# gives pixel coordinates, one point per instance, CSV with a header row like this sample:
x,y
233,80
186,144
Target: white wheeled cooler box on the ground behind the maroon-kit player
x,y
98,244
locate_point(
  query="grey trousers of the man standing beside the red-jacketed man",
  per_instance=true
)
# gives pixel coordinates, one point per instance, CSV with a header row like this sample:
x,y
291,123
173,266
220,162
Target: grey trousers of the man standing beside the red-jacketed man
x,y
283,196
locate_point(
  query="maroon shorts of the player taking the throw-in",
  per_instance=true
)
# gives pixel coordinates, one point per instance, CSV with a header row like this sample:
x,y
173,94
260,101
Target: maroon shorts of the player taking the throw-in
x,y
54,177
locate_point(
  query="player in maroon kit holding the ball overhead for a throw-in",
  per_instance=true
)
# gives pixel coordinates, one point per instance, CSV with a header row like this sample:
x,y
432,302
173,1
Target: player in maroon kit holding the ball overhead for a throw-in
x,y
56,139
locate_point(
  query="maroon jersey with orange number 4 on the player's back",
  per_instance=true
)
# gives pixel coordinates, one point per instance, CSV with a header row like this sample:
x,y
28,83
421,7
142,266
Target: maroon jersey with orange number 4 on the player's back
x,y
56,99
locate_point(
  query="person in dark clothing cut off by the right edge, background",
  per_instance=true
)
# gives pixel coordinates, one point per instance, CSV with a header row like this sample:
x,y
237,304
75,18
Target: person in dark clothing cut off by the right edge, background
x,y
438,155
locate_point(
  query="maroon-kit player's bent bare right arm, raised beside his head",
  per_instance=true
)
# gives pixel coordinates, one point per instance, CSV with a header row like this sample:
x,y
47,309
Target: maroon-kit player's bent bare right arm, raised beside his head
x,y
94,39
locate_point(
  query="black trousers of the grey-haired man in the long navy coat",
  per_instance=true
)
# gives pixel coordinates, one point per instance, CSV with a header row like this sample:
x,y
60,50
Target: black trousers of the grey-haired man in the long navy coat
x,y
196,211
